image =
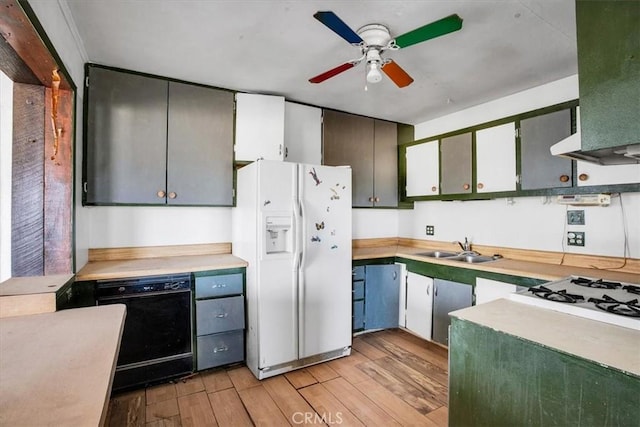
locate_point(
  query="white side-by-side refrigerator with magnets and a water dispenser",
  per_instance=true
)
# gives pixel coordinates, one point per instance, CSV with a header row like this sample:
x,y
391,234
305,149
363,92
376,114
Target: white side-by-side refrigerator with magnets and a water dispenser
x,y
292,224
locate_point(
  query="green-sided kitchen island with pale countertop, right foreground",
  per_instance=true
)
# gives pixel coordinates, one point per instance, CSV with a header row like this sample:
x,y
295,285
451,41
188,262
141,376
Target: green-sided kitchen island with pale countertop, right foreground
x,y
525,365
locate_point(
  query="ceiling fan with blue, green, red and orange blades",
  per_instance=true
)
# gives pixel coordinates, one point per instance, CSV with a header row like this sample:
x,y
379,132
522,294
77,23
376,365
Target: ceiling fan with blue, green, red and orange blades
x,y
374,39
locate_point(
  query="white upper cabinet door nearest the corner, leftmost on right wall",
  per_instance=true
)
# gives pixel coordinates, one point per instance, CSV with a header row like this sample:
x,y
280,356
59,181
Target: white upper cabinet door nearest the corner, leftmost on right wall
x,y
423,169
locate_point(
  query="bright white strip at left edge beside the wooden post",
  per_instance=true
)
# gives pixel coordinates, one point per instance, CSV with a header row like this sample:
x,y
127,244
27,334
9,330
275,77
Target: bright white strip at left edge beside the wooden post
x,y
6,144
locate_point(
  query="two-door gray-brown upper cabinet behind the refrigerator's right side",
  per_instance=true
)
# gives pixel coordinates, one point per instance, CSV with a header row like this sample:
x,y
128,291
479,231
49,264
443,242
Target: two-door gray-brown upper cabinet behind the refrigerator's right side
x,y
370,147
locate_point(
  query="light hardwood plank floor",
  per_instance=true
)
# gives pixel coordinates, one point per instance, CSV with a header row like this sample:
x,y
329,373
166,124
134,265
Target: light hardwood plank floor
x,y
391,378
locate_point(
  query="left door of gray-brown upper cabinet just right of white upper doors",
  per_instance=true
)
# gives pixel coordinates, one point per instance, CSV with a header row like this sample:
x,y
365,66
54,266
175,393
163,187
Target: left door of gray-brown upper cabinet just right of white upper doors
x,y
348,140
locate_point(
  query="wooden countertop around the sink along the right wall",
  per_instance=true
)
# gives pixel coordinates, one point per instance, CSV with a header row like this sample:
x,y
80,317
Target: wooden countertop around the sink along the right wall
x,y
512,267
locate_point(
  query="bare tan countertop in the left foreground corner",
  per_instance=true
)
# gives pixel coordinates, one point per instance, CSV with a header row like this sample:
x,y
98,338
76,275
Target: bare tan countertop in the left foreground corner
x,y
57,368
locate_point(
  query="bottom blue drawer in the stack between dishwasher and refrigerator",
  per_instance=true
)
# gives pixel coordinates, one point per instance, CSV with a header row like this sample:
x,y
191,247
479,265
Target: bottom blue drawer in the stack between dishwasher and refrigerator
x,y
220,349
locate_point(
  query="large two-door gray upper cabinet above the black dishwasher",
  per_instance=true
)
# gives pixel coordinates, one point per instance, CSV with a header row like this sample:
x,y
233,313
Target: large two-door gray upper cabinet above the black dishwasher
x,y
152,141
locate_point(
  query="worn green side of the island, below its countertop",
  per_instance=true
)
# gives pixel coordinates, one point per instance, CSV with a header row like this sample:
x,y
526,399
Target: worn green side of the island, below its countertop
x,y
496,379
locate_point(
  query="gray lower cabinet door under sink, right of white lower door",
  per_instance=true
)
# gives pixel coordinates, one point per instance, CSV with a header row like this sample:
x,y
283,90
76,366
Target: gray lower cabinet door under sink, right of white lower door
x,y
448,296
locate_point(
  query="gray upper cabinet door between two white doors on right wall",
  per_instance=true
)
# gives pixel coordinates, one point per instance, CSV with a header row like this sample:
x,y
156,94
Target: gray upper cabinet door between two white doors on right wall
x,y
455,157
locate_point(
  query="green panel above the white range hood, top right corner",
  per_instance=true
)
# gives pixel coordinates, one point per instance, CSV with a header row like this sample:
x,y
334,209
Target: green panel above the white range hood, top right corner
x,y
609,72
